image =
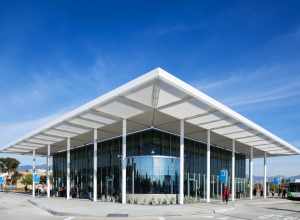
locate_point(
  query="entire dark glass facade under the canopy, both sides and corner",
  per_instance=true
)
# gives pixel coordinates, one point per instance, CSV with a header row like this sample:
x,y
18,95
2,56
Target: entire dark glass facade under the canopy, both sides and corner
x,y
152,167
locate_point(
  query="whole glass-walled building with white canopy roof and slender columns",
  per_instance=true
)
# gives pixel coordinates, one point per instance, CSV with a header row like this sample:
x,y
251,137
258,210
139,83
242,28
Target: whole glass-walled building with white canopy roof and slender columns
x,y
155,139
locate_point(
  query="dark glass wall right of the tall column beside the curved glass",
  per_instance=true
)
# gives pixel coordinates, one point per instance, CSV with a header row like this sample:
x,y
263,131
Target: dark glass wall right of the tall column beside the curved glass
x,y
195,170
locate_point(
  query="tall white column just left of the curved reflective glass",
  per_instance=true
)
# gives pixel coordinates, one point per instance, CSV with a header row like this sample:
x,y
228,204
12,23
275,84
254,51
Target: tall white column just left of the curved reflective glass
x,y
124,162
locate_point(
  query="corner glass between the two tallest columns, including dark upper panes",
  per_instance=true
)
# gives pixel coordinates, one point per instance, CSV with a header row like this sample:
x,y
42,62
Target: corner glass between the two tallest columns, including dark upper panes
x,y
152,163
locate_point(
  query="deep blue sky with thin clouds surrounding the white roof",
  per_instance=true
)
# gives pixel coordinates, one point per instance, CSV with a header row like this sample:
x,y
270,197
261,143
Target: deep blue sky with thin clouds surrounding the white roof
x,y
56,55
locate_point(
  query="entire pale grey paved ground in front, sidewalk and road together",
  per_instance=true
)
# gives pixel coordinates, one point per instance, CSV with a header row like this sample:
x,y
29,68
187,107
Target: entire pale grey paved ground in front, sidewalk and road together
x,y
20,206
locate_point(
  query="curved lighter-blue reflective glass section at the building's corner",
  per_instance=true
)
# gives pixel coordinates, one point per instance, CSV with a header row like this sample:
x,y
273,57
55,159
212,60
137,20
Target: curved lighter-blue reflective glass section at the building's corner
x,y
153,174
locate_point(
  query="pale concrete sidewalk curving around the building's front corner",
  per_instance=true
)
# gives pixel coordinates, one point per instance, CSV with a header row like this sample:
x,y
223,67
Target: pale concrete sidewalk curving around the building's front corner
x,y
77,207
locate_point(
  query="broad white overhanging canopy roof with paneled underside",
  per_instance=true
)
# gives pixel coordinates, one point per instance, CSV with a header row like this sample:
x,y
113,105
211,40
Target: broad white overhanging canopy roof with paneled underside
x,y
160,100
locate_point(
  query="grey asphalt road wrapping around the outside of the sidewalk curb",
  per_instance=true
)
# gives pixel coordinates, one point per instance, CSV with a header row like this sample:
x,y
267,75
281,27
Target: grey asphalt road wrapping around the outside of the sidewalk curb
x,y
18,207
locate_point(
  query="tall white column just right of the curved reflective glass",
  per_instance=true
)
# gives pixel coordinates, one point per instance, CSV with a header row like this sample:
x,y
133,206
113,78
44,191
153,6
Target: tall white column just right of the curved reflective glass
x,y
181,169
